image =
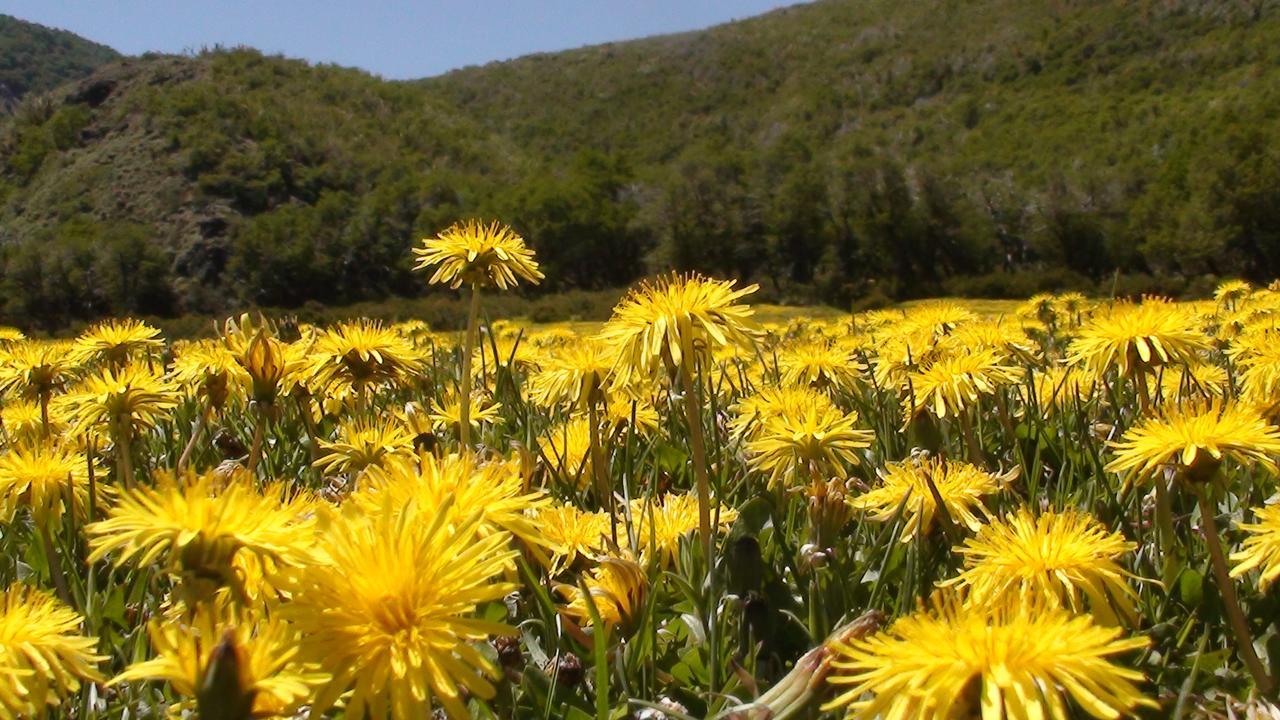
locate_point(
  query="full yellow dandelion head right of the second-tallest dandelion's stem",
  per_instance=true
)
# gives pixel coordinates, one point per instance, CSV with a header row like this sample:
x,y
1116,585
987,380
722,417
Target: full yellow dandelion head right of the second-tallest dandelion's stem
x,y
813,443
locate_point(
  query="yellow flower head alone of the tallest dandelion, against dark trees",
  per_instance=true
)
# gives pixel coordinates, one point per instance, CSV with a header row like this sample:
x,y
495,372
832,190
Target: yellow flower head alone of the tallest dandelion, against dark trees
x,y
478,256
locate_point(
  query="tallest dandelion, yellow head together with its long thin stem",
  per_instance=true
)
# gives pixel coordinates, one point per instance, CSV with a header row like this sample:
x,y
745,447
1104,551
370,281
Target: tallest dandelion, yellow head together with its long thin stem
x,y
477,256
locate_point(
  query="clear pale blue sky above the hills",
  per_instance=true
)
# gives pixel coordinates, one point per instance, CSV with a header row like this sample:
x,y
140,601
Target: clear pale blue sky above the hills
x,y
395,39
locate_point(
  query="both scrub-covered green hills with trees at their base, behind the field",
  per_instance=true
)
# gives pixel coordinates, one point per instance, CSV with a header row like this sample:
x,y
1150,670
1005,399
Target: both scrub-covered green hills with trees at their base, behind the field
x,y
838,152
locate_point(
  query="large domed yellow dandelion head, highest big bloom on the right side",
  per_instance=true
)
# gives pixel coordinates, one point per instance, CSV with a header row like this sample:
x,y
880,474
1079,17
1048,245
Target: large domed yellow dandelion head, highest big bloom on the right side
x,y
1133,339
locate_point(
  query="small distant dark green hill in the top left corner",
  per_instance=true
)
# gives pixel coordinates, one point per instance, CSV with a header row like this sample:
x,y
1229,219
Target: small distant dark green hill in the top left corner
x,y
35,58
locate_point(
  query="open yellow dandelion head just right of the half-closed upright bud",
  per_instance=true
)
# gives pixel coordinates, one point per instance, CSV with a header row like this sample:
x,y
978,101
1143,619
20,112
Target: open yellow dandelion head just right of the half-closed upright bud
x,y
360,356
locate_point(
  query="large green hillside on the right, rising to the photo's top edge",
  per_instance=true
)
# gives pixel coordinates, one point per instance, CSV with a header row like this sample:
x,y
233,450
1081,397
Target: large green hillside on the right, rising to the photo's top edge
x,y
1094,136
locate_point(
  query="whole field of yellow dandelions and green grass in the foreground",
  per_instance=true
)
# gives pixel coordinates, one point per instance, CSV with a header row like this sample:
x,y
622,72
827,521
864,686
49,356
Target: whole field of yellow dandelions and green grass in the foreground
x,y
1060,511
